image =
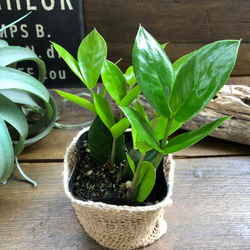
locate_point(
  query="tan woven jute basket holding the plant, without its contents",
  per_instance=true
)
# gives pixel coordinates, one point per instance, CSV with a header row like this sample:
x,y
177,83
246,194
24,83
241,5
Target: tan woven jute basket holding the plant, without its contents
x,y
119,227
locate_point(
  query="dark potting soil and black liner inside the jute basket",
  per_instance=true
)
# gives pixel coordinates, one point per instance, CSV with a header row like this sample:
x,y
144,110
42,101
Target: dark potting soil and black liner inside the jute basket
x,y
92,181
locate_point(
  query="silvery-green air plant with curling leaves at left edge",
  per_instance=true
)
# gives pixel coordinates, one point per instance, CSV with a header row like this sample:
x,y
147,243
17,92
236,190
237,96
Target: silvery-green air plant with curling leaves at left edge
x,y
27,110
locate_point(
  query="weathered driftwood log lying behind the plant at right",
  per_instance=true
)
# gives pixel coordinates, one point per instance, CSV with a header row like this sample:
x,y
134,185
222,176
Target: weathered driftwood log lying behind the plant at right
x,y
231,100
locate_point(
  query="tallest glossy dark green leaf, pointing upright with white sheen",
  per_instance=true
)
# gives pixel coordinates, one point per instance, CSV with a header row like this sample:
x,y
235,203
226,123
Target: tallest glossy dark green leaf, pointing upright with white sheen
x,y
154,71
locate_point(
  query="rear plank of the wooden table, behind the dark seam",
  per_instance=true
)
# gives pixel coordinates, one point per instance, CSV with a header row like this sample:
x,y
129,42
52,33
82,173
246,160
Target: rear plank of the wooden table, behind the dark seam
x,y
53,146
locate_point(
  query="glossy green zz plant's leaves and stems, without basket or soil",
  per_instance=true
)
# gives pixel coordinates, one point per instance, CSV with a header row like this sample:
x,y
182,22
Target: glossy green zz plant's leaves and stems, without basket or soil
x,y
175,91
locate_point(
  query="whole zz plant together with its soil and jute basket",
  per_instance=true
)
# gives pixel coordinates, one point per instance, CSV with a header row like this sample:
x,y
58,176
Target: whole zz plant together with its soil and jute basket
x,y
122,212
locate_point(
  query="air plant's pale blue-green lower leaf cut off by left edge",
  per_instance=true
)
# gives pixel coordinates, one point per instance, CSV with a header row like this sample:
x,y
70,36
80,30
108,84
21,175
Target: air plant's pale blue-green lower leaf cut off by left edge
x,y
6,152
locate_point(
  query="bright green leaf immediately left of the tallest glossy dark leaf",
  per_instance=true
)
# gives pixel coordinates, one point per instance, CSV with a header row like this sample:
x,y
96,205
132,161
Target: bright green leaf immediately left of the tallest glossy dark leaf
x,y
114,81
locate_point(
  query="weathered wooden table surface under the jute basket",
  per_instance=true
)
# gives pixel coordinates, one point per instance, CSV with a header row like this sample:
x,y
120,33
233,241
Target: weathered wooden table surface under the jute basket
x,y
211,201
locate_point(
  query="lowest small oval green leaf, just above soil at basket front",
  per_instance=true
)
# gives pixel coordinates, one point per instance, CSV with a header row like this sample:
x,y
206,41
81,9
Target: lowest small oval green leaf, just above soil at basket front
x,y
145,181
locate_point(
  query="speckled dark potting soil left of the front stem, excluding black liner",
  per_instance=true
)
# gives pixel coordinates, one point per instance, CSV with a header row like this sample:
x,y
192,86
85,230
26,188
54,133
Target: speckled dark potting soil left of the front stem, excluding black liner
x,y
95,181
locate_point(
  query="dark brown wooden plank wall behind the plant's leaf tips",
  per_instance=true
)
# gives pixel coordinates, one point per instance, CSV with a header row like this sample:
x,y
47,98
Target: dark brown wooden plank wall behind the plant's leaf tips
x,y
186,25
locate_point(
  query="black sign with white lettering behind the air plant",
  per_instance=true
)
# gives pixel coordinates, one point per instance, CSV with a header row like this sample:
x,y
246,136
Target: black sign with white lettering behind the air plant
x,y
60,21
